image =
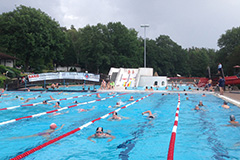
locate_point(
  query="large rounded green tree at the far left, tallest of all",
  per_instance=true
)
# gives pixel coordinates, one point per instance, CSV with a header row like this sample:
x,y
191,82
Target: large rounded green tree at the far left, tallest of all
x,y
32,36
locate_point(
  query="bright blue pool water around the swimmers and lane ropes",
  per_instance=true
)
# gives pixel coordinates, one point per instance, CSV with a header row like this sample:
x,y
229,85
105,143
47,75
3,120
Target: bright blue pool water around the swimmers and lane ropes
x,y
200,134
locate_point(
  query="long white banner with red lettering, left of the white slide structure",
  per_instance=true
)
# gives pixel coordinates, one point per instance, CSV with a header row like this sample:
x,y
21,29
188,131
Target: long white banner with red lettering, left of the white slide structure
x,y
64,75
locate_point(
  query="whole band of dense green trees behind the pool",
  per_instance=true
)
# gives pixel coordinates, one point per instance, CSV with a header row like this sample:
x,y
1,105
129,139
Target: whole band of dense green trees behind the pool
x,y
38,41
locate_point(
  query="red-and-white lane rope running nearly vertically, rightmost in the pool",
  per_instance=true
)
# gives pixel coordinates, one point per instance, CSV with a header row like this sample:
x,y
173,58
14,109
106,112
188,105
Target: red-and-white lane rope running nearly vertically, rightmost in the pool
x,y
174,130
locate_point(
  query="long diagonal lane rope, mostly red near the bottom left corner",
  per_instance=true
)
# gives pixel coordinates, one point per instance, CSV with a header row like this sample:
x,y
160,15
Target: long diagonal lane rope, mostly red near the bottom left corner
x,y
73,131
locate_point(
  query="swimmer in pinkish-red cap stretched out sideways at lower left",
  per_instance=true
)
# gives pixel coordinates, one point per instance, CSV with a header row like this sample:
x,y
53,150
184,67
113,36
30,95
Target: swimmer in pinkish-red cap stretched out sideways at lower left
x,y
45,133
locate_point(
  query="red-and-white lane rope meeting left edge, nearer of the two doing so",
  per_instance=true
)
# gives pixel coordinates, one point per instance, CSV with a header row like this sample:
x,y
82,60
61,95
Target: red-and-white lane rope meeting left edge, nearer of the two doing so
x,y
43,113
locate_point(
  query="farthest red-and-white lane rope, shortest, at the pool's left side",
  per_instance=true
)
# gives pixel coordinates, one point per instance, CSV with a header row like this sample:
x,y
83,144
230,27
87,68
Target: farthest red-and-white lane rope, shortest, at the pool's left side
x,y
34,104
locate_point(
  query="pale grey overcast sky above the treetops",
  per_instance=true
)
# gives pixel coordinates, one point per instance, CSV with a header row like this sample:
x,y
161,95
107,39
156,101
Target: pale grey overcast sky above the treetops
x,y
197,23
